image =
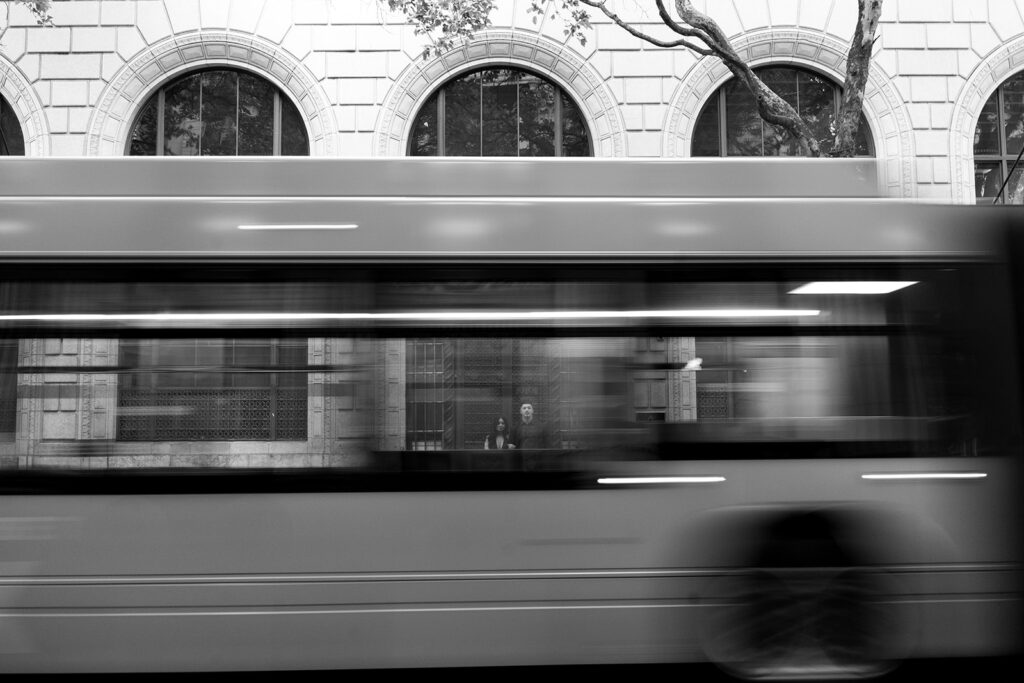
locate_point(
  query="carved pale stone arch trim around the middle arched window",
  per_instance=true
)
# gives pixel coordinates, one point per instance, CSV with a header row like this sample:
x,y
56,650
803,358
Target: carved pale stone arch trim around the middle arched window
x,y
553,61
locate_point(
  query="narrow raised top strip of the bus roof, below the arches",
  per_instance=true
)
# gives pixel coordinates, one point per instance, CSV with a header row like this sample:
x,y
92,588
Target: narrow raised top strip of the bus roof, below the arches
x,y
438,177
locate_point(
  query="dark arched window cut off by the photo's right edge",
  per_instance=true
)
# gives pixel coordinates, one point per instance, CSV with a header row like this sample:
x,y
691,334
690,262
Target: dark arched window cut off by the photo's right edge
x,y
998,140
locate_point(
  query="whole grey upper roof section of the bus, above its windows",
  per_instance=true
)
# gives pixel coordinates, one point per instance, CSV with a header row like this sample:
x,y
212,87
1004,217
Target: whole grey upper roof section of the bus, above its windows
x,y
441,208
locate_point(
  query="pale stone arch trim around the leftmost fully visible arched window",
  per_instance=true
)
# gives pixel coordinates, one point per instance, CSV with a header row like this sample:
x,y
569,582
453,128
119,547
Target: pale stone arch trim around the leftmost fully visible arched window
x,y
110,125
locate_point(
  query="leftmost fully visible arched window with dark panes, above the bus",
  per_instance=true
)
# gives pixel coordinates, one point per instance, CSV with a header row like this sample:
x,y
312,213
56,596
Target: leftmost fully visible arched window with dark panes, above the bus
x,y
219,113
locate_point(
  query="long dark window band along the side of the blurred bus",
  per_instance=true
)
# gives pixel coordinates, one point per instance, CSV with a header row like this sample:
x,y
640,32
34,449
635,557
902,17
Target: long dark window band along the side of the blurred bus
x,y
897,374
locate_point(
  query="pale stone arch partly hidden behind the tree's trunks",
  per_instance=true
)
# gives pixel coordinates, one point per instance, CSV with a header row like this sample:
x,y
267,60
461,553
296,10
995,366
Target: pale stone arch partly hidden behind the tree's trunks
x,y
884,108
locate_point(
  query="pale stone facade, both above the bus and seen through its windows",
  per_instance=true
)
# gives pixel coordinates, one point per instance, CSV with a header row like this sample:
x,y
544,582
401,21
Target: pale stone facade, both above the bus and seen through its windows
x,y
355,79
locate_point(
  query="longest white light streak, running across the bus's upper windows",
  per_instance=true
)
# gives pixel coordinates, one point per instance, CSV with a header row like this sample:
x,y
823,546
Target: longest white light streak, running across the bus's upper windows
x,y
430,316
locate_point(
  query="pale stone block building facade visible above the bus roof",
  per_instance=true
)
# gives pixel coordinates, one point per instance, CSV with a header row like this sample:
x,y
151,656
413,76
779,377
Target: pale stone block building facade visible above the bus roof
x,y
356,75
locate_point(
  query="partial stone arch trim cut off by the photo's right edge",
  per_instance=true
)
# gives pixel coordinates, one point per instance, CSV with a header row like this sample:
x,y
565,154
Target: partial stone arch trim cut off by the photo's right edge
x,y
1000,65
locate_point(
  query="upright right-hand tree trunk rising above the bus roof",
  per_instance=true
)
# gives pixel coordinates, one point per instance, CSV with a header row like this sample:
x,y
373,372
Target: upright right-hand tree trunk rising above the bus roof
x,y
858,64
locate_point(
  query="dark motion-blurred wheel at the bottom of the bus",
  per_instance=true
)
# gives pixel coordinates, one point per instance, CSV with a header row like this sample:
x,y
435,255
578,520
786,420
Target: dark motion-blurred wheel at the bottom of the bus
x,y
798,625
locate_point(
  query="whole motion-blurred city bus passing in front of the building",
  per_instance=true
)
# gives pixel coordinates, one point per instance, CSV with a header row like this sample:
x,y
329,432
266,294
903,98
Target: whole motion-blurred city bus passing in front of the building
x,y
777,420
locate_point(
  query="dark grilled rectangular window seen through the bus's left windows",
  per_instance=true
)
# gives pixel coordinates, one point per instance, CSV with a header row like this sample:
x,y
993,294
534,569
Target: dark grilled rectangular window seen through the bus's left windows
x,y
208,390
